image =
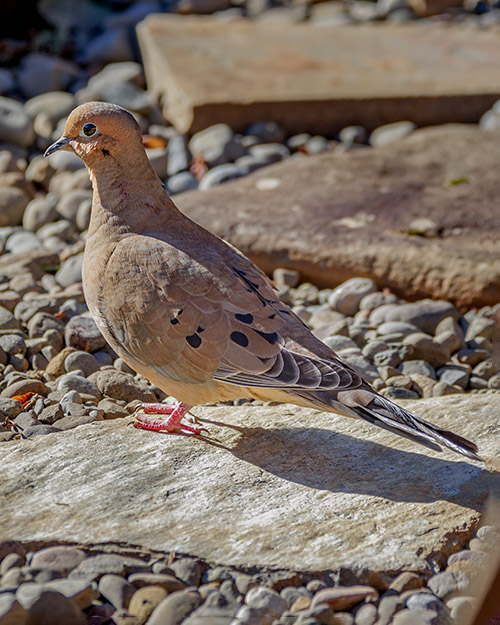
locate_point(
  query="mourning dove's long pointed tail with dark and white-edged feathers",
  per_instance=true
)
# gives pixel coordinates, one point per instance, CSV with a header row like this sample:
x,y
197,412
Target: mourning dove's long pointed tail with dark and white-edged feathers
x,y
382,412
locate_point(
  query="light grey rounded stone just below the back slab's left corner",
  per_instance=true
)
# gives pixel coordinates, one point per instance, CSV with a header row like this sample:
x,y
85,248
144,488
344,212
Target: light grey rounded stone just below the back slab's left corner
x,y
217,145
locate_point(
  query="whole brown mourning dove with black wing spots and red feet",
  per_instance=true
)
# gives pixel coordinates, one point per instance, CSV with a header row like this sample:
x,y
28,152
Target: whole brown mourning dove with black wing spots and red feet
x,y
190,312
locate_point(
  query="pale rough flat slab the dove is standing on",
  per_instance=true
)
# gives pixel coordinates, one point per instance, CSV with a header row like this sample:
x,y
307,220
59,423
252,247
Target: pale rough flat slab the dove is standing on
x,y
278,487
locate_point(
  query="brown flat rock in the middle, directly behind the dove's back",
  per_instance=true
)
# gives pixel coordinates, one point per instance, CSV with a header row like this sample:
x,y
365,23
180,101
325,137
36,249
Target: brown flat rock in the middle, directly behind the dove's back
x,y
337,216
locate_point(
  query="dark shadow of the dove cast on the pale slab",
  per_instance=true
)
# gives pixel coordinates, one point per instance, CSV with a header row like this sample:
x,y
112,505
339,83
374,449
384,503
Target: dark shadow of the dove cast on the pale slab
x,y
327,460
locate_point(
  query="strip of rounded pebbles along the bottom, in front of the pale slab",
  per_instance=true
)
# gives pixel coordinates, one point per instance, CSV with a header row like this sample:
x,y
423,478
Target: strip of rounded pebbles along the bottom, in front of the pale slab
x,y
85,586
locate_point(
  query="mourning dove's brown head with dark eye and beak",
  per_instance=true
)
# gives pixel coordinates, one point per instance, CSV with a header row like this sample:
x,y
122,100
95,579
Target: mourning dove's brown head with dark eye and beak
x,y
97,130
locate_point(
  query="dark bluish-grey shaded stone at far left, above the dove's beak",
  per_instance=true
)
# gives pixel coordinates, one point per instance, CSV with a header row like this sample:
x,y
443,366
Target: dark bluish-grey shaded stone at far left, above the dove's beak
x,y
39,73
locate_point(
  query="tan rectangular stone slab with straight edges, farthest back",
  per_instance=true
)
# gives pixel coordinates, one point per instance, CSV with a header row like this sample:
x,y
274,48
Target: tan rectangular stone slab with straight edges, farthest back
x,y
317,79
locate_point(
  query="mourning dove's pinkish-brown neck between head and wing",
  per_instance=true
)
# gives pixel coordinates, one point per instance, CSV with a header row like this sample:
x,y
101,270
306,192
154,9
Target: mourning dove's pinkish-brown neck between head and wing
x,y
128,198
